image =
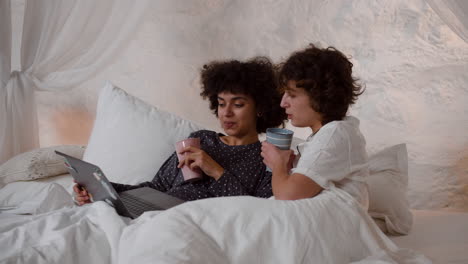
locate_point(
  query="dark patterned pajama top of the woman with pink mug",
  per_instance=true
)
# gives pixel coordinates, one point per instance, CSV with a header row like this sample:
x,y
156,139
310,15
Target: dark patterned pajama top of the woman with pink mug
x,y
244,172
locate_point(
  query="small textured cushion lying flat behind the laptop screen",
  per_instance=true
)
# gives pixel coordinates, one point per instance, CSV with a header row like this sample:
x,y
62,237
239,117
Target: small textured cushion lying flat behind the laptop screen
x,y
37,163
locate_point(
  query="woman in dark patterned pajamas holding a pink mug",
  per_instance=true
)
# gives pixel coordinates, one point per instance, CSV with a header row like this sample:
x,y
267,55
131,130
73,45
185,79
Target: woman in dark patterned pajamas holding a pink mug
x,y
245,99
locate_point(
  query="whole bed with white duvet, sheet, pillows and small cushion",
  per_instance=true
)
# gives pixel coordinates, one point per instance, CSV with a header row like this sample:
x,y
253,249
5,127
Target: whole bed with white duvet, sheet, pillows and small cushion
x,y
39,223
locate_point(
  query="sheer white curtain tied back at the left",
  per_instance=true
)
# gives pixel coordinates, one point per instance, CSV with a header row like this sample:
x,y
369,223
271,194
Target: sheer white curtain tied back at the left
x,y
63,44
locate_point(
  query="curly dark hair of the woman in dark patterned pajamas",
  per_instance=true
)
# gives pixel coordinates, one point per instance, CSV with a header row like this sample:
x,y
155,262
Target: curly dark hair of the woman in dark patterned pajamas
x,y
255,77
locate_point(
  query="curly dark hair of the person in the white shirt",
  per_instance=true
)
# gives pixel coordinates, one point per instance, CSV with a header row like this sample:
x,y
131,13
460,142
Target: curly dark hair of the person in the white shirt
x,y
326,76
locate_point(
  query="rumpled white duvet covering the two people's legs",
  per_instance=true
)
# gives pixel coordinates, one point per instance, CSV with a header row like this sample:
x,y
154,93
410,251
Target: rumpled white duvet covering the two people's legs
x,y
330,228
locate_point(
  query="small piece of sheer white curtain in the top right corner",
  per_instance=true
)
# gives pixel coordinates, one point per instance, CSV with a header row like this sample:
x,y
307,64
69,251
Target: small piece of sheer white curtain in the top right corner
x,y
454,13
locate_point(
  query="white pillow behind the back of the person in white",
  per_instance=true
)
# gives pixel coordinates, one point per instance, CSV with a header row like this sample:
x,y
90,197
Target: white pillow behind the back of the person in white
x,y
388,182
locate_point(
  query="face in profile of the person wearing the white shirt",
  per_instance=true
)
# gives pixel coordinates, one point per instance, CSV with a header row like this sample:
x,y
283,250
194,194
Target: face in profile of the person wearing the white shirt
x,y
296,102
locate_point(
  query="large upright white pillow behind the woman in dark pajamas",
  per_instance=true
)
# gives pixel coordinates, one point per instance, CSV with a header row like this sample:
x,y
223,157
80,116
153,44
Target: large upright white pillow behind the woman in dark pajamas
x,y
131,139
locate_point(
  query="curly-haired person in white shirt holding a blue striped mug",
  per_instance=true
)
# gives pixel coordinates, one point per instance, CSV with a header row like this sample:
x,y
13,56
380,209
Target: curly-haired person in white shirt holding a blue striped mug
x,y
318,89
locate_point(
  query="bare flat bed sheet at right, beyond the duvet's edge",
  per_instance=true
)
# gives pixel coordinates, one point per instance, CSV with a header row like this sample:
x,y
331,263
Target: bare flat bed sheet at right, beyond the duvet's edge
x,y
440,235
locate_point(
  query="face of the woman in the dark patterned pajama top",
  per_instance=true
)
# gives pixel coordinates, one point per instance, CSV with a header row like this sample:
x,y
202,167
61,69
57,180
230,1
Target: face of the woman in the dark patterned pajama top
x,y
237,114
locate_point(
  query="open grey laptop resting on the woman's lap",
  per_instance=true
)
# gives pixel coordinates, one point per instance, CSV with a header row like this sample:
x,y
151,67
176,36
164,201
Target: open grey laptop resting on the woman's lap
x,y
130,203
